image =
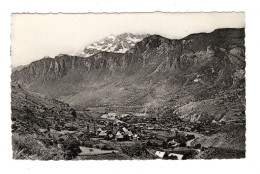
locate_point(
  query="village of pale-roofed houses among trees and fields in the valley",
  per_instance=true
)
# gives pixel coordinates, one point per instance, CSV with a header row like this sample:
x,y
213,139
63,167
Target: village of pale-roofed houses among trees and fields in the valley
x,y
139,135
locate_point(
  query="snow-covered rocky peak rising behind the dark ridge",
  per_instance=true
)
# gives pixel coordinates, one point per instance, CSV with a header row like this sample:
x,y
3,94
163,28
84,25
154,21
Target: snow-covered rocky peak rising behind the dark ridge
x,y
116,44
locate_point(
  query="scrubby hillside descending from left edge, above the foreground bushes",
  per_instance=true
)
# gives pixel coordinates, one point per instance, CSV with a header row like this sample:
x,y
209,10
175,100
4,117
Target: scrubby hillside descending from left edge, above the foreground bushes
x,y
32,112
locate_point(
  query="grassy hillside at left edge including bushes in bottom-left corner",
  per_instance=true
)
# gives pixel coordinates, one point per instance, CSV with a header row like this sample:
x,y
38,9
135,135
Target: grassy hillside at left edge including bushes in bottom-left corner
x,y
29,117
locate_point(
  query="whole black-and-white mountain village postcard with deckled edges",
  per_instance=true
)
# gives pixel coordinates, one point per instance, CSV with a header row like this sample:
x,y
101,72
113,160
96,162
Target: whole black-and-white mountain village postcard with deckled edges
x,y
128,86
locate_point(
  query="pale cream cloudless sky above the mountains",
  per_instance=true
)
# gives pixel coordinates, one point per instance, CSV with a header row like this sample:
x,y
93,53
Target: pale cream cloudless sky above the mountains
x,y
35,36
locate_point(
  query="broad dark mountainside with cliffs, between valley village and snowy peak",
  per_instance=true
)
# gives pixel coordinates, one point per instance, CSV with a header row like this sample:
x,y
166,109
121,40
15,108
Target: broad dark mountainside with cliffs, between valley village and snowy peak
x,y
201,76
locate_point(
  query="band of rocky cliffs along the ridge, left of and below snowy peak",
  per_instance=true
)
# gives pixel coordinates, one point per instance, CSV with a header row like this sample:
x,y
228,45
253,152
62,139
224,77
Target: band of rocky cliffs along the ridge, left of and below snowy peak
x,y
48,70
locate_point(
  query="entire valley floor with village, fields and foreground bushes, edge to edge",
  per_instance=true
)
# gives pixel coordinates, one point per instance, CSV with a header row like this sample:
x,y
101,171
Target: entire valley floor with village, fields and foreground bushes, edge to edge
x,y
131,137
